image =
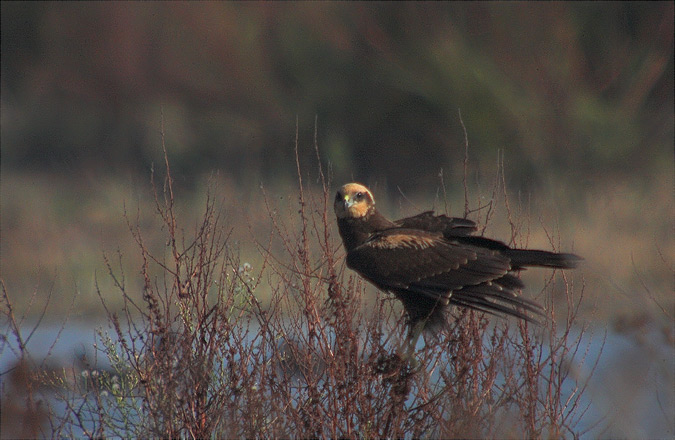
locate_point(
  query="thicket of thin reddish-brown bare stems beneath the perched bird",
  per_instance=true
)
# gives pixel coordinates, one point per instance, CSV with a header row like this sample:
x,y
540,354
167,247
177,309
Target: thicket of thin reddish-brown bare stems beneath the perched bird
x,y
201,356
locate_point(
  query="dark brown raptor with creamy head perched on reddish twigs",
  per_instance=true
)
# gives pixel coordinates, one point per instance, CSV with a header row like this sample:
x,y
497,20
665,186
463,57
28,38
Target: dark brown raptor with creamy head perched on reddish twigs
x,y
430,261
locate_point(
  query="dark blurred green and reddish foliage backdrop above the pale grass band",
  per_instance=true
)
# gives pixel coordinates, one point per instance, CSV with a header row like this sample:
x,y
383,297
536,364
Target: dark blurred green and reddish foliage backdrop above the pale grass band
x,y
580,89
